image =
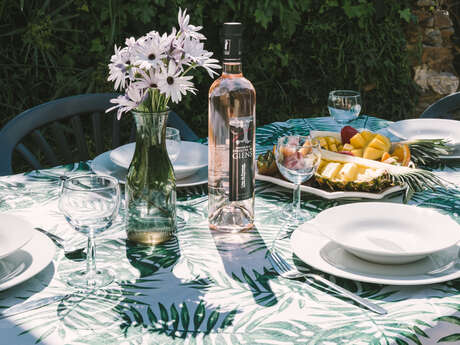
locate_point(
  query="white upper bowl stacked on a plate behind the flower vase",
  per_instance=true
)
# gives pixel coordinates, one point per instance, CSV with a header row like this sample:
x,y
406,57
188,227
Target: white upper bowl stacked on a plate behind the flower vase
x,y
192,157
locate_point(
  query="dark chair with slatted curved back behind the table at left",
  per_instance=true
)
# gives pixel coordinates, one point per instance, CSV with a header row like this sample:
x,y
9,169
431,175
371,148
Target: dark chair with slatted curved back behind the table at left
x,y
69,129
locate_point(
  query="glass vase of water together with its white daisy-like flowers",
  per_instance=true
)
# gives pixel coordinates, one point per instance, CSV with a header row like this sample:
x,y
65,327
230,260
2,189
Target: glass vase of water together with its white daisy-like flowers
x,y
153,70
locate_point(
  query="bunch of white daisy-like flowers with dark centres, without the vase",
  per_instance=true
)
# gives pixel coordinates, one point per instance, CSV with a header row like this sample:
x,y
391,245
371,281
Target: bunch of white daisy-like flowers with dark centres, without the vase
x,y
153,69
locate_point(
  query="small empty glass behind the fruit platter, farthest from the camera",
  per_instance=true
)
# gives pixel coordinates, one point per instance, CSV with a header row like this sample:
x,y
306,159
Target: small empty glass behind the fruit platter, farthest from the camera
x,y
344,105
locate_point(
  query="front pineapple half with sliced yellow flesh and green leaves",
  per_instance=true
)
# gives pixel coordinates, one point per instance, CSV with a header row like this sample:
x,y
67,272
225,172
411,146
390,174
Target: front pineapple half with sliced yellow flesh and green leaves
x,y
344,172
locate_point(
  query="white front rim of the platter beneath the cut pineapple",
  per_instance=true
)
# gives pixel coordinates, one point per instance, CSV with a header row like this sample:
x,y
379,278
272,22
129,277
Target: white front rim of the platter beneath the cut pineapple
x,y
331,195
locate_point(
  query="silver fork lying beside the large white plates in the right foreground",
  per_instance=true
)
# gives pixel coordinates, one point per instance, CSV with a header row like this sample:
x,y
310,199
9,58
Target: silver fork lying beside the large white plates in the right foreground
x,y
285,270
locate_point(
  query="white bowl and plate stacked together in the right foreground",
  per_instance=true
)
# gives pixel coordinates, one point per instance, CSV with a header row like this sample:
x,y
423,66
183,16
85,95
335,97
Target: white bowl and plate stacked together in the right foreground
x,y
385,243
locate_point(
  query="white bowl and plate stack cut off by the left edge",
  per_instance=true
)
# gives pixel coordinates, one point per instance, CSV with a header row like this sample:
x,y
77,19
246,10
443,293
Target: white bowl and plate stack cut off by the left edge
x,y
24,252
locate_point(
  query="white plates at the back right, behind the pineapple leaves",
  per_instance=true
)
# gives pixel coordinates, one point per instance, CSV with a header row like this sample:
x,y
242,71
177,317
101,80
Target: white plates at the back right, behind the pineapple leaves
x,y
429,129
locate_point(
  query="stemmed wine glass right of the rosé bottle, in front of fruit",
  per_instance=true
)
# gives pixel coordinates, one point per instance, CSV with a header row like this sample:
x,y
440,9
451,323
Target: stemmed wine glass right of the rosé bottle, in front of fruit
x,y
297,158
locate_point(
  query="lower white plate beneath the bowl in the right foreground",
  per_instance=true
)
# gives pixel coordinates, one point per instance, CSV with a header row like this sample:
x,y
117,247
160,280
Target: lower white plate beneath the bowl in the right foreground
x,y
322,254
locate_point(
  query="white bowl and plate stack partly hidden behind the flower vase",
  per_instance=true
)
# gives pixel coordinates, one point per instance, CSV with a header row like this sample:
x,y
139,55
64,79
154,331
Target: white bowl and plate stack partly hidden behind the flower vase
x,y
190,167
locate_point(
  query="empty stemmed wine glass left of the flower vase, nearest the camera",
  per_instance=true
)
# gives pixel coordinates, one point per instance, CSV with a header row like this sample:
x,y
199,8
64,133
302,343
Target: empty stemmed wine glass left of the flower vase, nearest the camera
x,y
90,204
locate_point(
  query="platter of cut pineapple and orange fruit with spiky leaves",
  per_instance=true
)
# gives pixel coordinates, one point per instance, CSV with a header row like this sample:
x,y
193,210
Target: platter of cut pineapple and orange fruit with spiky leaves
x,y
363,164
